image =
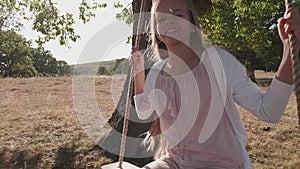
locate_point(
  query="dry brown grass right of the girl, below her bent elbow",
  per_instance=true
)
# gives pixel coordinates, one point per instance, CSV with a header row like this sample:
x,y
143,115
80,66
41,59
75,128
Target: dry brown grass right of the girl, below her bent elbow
x,y
274,145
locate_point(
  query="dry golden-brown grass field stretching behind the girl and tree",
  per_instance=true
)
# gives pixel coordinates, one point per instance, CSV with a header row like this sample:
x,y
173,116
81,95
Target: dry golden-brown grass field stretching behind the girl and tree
x,y
39,127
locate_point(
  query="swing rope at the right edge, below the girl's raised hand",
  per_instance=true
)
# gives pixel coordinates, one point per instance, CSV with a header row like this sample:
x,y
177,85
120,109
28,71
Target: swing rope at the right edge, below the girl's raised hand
x,y
295,60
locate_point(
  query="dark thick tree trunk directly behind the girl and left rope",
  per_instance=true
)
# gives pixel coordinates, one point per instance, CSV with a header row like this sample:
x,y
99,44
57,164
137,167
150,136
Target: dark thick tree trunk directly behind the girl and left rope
x,y
136,127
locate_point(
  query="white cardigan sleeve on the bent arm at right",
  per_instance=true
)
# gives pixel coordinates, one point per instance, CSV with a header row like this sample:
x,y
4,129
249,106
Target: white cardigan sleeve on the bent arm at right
x,y
268,106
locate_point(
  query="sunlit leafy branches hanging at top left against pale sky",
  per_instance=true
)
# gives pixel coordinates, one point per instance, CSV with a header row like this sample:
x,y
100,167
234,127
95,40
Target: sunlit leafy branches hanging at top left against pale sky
x,y
48,20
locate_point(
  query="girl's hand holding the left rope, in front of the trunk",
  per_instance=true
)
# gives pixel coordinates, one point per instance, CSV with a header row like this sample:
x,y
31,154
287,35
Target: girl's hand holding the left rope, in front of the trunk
x,y
137,61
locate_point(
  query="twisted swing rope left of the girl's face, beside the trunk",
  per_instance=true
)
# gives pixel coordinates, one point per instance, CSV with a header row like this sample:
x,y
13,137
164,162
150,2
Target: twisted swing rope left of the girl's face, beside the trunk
x,y
130,87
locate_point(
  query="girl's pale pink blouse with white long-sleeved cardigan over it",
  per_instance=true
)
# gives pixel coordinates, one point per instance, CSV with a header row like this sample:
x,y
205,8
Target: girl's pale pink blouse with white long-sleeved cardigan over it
x,y
208,97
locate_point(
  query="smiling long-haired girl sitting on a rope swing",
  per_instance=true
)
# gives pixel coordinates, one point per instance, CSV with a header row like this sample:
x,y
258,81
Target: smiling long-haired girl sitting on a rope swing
x,y
194,90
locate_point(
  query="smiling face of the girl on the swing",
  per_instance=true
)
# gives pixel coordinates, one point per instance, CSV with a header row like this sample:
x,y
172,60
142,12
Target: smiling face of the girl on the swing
x,y
173,22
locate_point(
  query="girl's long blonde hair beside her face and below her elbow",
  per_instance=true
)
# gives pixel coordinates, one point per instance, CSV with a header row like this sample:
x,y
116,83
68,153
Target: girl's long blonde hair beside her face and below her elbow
x,y
159,49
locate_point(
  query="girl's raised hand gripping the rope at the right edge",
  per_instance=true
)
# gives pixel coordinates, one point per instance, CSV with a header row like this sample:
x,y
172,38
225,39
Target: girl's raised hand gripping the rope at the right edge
x,y
290,23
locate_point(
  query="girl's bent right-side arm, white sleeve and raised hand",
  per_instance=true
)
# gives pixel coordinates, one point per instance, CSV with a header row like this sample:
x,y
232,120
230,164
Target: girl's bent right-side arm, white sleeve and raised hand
x,y
269,106
